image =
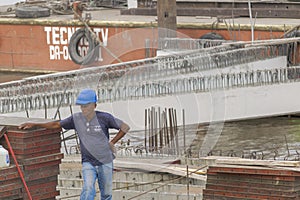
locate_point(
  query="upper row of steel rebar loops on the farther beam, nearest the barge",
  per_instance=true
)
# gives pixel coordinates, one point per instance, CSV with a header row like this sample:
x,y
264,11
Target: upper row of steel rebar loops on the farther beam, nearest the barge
x,y
220,56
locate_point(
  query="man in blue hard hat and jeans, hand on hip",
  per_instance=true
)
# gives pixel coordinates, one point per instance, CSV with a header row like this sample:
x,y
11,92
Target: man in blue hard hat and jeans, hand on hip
x,y
97,151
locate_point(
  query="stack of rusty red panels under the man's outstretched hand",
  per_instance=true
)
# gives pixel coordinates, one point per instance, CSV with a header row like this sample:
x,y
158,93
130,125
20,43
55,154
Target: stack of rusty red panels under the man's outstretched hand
x,y
38,153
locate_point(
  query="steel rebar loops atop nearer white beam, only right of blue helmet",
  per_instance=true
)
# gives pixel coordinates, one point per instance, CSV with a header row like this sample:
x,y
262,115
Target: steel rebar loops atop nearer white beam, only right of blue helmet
x,y
196,84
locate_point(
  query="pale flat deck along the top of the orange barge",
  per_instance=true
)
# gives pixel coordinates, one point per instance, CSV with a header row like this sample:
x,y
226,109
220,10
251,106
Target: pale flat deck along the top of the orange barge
x,y
110,16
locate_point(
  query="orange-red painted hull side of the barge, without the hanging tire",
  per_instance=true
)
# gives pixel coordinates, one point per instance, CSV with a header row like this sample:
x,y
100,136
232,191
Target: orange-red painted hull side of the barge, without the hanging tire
x,y
42,44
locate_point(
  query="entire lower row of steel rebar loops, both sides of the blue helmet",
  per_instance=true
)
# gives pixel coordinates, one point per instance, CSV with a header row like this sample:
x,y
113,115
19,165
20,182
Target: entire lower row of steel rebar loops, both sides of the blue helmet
x,y
149,88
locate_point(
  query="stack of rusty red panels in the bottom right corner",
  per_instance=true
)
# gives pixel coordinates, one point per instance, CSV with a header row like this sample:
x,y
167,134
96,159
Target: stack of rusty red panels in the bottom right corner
x,y
252,182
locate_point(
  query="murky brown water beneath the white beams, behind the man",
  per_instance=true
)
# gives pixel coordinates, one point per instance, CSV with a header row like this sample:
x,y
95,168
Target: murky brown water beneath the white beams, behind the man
x,y
275,138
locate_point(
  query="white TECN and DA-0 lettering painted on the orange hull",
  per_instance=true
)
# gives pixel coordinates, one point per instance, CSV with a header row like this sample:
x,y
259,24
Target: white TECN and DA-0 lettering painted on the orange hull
x,y
58,38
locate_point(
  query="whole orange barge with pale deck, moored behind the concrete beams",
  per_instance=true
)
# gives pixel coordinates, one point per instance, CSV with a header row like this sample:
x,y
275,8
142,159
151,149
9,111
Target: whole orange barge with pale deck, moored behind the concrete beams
x,y
42,44
